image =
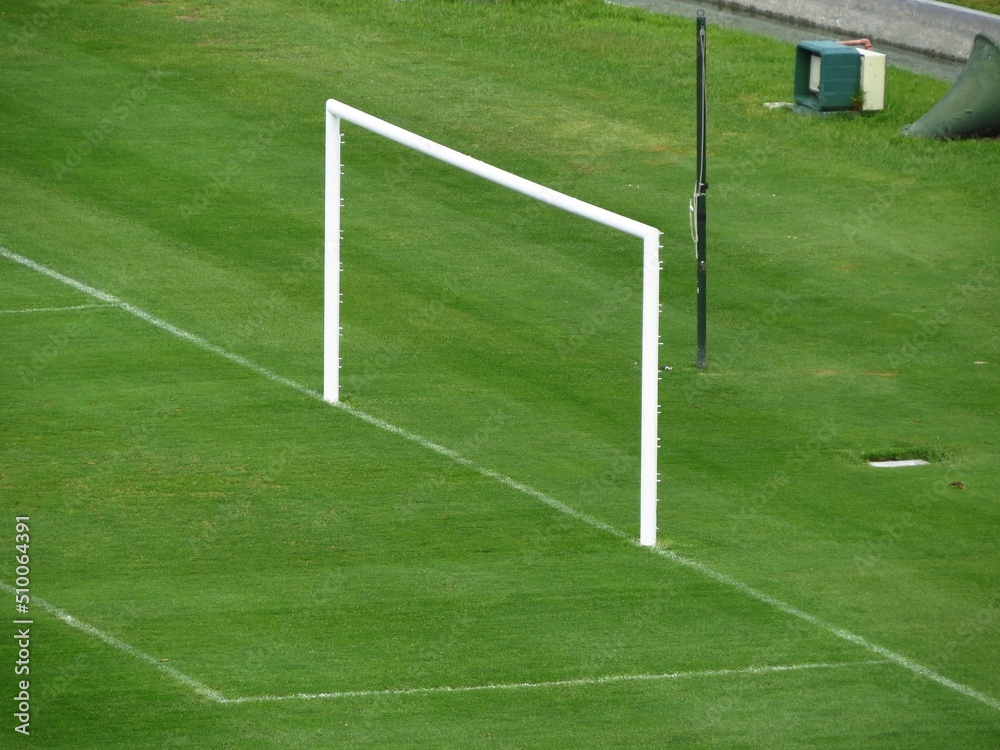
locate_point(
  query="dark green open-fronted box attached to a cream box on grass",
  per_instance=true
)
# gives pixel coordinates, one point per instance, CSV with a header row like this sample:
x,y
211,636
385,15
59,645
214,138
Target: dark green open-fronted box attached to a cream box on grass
x,y
827,76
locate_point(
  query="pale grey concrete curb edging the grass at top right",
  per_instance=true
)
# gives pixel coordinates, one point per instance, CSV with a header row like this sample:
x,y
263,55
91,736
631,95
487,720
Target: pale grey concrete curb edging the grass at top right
x,y
922,25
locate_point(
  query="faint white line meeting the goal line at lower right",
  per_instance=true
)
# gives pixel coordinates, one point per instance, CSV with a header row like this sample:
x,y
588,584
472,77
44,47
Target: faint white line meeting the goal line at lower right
x,y
577,682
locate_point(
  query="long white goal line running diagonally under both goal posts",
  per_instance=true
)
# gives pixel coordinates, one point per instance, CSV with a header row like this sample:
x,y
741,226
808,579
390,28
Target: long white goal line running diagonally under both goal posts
x,y
722,578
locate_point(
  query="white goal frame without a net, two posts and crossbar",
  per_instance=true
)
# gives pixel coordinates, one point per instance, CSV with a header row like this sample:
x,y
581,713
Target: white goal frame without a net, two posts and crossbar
x,y
337,111
